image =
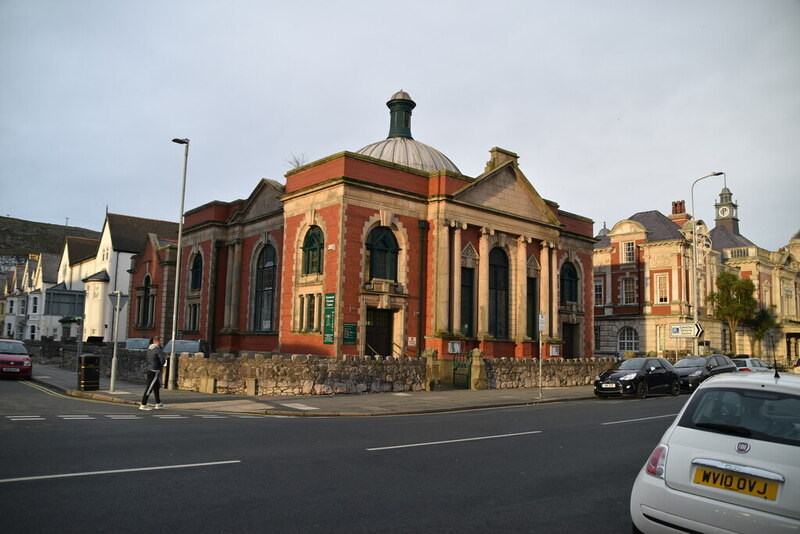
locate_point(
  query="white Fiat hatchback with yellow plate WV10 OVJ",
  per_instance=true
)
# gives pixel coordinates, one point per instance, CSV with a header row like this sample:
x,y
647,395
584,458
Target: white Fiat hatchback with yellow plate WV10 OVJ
x,y
730,462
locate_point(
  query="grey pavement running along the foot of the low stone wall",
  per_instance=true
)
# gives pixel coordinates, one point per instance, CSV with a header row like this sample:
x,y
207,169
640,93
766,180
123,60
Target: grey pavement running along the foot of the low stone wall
x,y
366,404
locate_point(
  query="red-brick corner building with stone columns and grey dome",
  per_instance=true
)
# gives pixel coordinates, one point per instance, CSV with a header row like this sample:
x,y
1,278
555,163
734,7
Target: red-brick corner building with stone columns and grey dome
x,y
390,250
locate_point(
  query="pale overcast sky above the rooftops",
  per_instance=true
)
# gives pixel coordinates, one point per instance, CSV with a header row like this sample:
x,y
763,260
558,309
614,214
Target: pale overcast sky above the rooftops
x,y
614,107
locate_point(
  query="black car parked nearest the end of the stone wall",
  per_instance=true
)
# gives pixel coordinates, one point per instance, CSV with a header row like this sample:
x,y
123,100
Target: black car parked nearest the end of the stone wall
x,y
638,377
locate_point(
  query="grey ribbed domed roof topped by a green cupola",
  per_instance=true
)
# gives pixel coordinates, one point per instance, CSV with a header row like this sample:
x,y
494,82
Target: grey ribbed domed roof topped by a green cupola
x,y
400,147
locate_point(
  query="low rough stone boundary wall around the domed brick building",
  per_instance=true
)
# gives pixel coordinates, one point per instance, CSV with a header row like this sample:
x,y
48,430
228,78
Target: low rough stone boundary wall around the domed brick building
x,y
295,375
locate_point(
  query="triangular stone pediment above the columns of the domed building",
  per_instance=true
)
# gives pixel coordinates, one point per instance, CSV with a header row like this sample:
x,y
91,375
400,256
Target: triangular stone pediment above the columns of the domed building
x,y
503,187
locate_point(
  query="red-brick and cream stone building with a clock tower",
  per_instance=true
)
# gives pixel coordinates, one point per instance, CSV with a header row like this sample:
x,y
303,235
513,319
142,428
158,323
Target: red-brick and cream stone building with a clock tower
x,y
642,283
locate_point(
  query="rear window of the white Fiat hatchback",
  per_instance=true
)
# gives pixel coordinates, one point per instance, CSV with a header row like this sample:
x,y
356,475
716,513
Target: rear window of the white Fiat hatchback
x,y
763,415
